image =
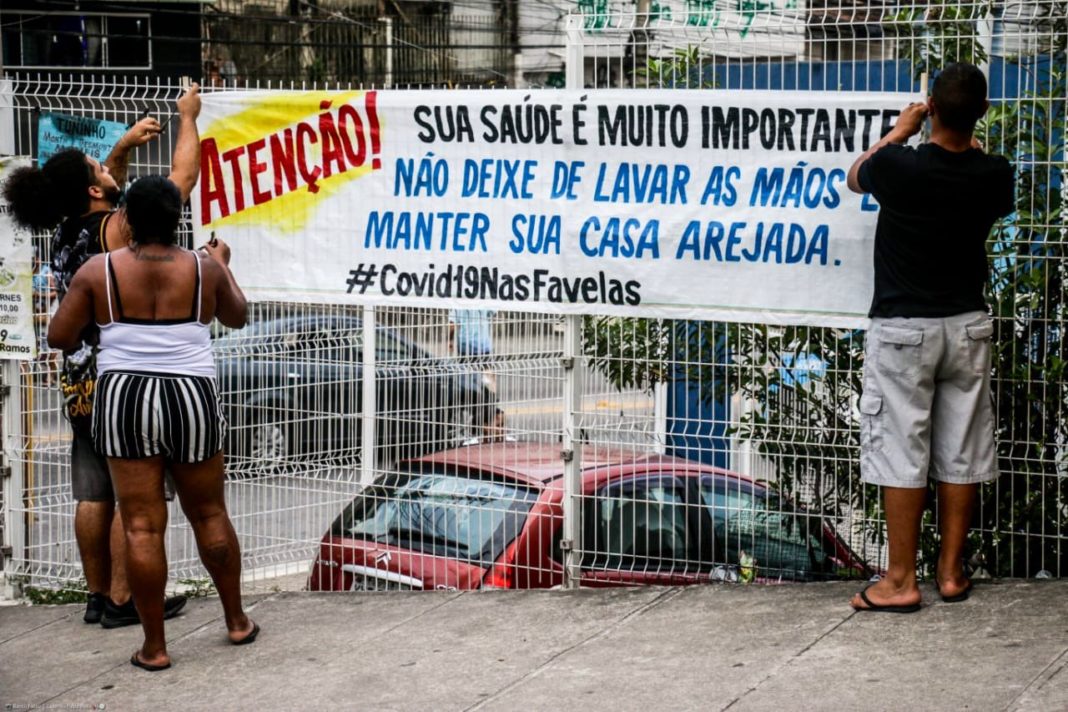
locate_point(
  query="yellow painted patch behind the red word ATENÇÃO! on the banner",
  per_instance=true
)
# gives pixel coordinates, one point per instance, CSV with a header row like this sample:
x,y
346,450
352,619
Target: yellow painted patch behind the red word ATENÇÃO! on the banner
x,y
289,213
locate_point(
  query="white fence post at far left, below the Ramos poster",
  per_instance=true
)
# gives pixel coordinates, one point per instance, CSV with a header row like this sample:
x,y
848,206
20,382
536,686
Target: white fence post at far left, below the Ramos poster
x,y
13,477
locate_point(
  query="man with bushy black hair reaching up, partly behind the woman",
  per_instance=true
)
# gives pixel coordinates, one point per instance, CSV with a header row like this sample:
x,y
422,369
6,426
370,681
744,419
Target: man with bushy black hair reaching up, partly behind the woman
x,y
82,197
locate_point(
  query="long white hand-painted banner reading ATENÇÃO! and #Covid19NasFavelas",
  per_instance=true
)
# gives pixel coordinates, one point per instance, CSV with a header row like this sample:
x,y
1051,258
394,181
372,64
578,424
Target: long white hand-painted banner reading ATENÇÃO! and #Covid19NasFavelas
x,y
693,204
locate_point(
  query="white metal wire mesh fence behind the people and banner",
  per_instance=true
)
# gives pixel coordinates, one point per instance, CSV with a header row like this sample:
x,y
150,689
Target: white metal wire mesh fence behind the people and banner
x,y
621,451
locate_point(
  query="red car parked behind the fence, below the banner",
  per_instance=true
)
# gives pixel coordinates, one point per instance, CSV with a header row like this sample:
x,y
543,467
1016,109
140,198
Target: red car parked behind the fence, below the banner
x,y
491,517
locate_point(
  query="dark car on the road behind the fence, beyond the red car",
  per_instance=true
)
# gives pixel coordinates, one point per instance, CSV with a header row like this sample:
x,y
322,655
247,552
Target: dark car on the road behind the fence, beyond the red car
x,y
292,392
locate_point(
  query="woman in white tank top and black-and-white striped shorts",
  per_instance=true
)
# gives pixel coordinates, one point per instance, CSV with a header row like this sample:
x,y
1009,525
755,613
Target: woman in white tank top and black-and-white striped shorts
x,y
158,406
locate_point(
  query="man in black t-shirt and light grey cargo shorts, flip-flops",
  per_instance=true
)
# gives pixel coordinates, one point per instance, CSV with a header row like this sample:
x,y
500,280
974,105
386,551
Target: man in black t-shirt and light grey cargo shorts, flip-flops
x,y
926,408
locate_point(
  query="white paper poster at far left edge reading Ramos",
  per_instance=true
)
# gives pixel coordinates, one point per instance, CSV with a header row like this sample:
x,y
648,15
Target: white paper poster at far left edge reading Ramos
x,y
17,278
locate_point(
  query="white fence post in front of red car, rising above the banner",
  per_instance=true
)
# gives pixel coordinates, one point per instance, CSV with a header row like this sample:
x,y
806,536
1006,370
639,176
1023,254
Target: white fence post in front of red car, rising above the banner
x,y
573,375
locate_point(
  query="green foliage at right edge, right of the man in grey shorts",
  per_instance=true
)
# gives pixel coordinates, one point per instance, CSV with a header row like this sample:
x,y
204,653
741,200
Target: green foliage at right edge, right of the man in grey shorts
x,y
1023,518
